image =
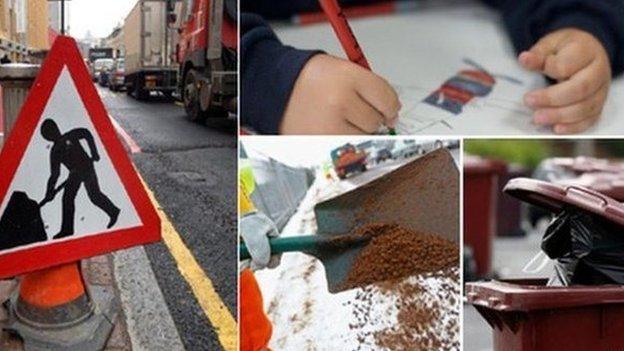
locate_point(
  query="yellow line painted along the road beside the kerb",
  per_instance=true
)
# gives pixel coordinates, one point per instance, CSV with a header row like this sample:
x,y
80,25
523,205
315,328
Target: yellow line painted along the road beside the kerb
x,y
220,317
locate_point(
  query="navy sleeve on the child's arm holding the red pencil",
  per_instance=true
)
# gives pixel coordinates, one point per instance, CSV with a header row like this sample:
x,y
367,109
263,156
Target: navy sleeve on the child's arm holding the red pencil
x,y
269,70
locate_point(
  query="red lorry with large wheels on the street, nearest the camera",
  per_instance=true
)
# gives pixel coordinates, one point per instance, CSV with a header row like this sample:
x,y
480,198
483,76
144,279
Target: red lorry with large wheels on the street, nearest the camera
x,y
206,53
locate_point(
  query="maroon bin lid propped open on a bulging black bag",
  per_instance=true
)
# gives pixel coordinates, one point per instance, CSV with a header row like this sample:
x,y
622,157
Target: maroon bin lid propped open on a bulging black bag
x,y
554,197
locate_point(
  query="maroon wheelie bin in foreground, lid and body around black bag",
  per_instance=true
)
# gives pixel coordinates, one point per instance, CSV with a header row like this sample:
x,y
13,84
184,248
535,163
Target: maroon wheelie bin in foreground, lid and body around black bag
x,y
528,315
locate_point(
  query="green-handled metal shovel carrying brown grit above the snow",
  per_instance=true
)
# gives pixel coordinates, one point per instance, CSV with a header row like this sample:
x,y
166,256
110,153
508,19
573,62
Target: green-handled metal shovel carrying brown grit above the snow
x,y
422,195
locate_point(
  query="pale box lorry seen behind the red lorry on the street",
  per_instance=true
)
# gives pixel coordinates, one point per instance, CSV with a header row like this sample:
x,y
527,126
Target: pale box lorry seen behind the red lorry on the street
x,y
147,44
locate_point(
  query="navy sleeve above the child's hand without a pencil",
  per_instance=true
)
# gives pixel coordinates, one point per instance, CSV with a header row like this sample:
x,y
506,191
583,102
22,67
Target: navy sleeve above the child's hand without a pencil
x,y
529,20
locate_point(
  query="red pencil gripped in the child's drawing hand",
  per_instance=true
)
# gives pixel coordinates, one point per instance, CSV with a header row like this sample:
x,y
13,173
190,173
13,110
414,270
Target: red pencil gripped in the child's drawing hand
x,y
345,35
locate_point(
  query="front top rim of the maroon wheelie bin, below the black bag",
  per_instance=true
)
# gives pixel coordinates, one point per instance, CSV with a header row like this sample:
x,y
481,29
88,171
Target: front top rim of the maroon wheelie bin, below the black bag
x,y
533,294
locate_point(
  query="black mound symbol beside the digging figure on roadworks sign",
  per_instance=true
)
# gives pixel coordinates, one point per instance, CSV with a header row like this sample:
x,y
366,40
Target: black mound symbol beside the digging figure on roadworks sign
x,y
21,222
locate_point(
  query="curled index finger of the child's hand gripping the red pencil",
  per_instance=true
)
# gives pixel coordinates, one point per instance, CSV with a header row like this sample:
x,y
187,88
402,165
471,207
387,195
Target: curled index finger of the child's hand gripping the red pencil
x,y
377,92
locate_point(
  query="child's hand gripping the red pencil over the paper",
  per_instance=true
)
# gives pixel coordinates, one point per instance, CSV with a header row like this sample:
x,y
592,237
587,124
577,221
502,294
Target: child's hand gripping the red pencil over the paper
x,y
335,96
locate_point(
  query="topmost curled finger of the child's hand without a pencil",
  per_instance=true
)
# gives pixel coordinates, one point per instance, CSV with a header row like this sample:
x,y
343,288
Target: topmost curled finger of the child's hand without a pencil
x,y
569,59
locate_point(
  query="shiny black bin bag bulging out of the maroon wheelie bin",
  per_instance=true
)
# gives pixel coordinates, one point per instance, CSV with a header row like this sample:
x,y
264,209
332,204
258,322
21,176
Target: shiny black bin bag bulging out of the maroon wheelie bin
x,y
588,249
